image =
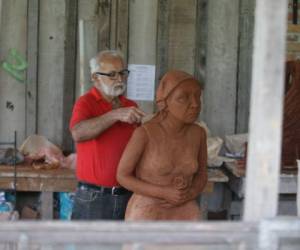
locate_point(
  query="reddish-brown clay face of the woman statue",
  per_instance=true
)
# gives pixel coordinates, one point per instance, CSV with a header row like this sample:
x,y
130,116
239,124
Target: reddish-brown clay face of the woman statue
x,y
184,102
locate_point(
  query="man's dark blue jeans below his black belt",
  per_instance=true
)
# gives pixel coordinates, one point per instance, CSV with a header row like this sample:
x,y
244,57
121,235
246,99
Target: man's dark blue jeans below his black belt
x,y
95,205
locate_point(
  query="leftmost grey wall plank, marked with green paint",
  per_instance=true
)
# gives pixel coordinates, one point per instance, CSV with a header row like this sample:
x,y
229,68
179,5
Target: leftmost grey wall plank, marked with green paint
x,y
13,35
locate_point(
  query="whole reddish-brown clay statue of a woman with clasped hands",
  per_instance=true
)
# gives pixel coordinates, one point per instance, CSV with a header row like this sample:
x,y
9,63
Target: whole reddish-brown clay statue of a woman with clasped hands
x,y
164,163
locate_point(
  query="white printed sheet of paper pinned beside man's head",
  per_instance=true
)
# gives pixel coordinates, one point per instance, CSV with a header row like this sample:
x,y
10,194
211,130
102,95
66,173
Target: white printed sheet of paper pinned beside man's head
x,y
141,82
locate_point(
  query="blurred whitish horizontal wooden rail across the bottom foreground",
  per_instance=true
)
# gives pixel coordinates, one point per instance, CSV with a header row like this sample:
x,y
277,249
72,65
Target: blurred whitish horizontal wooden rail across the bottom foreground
x,y
266,234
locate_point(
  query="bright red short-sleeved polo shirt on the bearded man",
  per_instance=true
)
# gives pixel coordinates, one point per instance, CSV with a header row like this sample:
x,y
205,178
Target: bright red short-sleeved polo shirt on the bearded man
x,y
97,159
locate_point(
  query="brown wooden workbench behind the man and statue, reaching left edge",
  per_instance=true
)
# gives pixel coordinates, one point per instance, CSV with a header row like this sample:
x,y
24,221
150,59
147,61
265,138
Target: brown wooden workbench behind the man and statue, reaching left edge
x,y
29,179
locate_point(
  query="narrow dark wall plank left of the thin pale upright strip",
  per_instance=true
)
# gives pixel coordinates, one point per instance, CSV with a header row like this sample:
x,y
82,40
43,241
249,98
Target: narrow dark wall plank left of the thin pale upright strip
x,y
70,70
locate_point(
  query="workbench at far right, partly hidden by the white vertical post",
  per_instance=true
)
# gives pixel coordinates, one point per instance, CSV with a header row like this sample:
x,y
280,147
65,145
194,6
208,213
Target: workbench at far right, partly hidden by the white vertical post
x,y
237,182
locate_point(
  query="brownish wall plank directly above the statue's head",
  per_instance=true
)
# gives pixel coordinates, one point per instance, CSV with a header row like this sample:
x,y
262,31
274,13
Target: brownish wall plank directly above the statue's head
x,y
182,19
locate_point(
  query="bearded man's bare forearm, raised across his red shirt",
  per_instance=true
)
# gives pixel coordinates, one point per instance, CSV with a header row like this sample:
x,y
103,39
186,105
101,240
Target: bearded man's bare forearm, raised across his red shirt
x,y
89,129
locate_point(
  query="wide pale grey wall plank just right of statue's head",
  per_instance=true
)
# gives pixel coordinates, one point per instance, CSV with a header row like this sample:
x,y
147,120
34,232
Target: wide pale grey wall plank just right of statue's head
x,y
219,106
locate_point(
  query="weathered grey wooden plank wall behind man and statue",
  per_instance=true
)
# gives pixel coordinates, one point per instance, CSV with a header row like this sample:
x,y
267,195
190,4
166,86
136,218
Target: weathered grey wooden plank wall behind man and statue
x,y
199,36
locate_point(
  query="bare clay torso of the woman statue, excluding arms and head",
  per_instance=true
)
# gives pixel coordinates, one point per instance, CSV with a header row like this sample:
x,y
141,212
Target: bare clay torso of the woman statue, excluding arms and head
x,y
167,160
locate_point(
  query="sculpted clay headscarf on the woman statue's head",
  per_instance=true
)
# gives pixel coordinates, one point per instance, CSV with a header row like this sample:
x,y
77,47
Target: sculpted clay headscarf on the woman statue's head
x,y
168,83
